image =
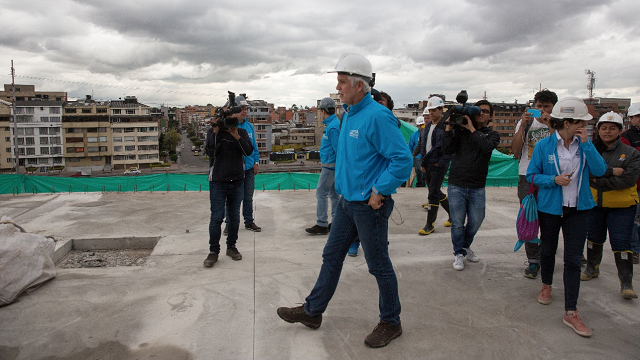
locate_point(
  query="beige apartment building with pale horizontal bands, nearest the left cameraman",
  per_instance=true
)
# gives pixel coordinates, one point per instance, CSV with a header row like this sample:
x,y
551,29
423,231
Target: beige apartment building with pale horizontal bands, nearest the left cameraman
x,y
134,134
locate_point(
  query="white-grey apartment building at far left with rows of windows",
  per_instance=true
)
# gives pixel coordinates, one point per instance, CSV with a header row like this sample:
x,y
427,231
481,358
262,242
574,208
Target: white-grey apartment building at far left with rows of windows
x,y
39,135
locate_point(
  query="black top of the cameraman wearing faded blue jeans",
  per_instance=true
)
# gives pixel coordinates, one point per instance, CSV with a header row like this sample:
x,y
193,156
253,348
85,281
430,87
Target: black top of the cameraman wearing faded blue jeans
x,y
471,155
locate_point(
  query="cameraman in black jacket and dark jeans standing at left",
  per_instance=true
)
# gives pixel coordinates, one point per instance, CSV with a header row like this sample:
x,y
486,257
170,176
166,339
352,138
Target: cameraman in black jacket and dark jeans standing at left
x,y
225,145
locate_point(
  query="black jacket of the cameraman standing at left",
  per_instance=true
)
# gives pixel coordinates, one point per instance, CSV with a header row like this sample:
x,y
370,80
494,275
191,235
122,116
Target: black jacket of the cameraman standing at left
x,y
226,154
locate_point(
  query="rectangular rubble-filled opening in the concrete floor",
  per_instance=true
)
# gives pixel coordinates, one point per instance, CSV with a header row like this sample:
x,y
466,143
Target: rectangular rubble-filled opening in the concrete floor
x,y
106,252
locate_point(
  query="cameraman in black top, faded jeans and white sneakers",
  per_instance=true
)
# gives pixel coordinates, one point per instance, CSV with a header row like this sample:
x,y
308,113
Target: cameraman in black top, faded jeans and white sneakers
x,y
471,145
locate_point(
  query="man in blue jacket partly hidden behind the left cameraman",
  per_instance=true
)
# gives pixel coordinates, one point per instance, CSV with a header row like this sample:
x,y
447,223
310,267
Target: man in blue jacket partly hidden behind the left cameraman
x,y
251,162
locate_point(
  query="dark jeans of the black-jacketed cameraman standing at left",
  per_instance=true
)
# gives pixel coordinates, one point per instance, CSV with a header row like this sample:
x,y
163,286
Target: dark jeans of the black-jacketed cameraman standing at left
x,y
221,194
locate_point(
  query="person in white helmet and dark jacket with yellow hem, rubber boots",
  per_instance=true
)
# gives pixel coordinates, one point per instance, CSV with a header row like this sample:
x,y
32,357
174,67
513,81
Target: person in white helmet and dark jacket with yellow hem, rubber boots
x,y
616,199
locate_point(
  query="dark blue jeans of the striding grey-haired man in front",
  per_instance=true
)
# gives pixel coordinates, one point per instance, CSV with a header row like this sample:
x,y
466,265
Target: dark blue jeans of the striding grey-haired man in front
x,y
355,218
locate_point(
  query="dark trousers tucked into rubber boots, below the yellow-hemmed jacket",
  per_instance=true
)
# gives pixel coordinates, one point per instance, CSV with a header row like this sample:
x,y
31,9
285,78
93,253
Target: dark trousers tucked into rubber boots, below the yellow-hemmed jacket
x,y
619,222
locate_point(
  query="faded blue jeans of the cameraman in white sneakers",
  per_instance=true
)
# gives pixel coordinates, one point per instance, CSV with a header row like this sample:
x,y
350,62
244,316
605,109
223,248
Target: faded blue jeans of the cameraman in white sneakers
x,y
465,204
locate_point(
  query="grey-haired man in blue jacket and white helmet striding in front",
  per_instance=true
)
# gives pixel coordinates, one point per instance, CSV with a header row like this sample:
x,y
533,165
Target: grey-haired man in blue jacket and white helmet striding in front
x,y
372,161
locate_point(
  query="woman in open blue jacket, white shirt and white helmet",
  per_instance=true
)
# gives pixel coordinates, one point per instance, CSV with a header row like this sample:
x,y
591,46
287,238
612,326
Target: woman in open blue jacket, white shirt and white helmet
x,y
560,166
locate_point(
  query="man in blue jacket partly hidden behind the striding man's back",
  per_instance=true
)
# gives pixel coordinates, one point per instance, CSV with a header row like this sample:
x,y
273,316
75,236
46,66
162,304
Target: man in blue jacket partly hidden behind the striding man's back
x,y
328,149
